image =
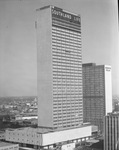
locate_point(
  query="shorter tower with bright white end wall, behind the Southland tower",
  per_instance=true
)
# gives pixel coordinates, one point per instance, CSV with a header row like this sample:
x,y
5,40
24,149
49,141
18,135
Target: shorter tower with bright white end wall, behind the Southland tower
x,y
97,93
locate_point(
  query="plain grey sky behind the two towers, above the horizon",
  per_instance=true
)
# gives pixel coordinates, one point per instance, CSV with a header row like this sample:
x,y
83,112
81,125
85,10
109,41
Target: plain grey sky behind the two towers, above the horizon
x,y
18,42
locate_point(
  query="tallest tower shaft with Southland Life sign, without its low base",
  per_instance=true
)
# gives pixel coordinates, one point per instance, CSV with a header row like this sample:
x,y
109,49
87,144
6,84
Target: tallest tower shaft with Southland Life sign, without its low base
x,y
60,103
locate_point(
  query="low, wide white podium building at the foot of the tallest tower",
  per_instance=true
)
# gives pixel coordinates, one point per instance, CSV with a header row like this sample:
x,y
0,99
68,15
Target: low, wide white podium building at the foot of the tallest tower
x,y
42,137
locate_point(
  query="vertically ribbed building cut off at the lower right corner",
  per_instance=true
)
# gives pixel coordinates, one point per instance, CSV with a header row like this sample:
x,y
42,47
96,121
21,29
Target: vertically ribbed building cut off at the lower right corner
x,y
111,132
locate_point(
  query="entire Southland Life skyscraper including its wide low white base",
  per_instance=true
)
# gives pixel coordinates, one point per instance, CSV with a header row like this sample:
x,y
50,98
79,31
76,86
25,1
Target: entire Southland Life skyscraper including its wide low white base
x,y
59,67
